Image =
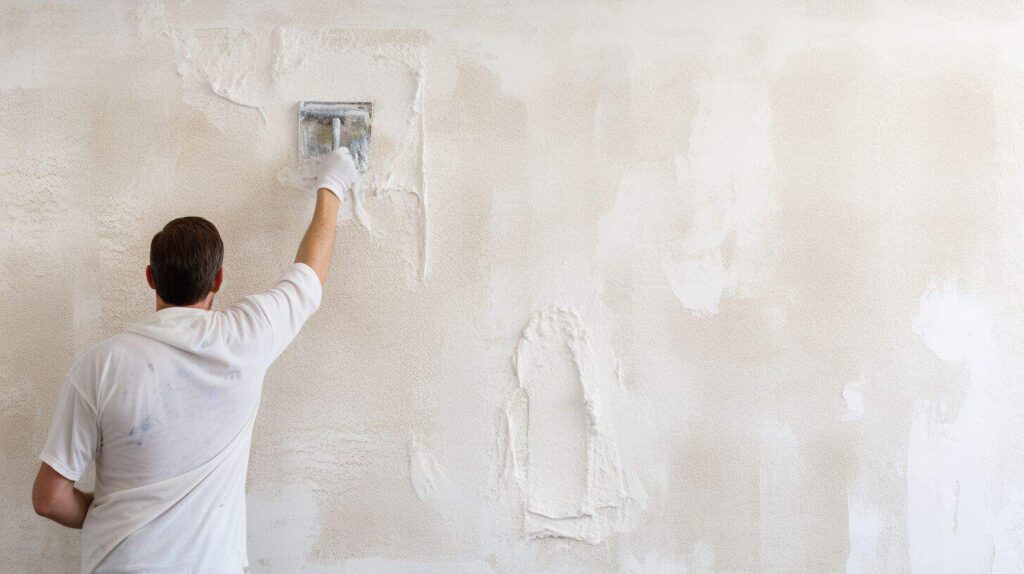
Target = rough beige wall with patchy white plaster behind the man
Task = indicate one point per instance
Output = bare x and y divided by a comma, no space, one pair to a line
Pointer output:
639,287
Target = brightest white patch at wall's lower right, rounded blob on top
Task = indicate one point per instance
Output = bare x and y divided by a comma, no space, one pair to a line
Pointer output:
952,523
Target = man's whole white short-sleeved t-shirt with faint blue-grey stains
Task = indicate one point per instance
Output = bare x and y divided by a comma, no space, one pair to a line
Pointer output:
166,409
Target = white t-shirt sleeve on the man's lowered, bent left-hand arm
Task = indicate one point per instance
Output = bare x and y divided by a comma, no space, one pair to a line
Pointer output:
74,435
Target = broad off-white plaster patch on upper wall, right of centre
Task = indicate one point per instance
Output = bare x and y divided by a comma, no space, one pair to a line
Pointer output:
698,220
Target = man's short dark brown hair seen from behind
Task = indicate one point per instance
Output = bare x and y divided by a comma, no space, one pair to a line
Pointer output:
186,257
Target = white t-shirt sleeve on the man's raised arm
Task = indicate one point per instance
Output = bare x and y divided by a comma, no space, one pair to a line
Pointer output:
275,318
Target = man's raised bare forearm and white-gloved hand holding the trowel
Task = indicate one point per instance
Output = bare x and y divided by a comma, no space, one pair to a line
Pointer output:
337,175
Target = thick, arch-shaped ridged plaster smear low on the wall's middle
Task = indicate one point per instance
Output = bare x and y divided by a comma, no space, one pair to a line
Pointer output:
562,455
